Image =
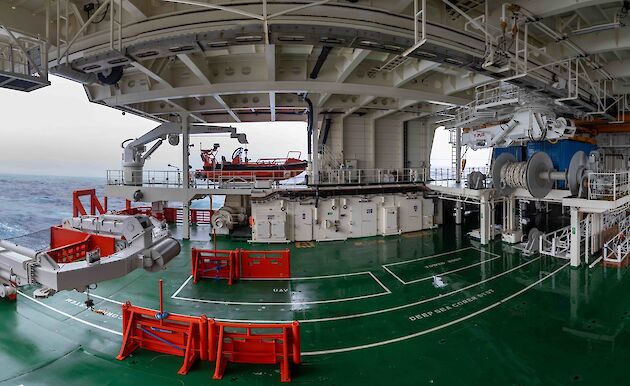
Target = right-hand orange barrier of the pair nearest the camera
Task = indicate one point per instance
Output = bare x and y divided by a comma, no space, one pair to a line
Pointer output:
255,343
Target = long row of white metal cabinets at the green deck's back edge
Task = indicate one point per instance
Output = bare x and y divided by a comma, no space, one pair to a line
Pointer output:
341,217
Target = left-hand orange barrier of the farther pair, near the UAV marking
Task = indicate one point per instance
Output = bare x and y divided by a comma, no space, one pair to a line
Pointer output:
214,264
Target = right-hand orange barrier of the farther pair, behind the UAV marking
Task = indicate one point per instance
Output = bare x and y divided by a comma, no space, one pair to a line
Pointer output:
265,264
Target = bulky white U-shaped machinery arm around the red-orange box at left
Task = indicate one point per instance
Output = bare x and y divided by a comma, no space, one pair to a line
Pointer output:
141,242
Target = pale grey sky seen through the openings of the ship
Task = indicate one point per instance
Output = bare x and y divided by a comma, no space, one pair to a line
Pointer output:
56,131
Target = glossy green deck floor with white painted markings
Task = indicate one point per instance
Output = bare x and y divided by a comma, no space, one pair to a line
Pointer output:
369,313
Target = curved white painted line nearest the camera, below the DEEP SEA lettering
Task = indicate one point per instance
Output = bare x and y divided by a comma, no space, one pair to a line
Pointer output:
436,328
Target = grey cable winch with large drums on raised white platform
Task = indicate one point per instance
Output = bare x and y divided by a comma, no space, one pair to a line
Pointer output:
537,175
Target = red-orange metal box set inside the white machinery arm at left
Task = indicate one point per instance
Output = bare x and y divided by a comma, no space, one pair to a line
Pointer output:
68,245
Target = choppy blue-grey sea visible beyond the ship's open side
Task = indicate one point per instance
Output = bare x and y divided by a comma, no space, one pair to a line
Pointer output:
30,204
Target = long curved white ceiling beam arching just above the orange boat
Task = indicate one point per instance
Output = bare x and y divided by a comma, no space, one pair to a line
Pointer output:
292,87
